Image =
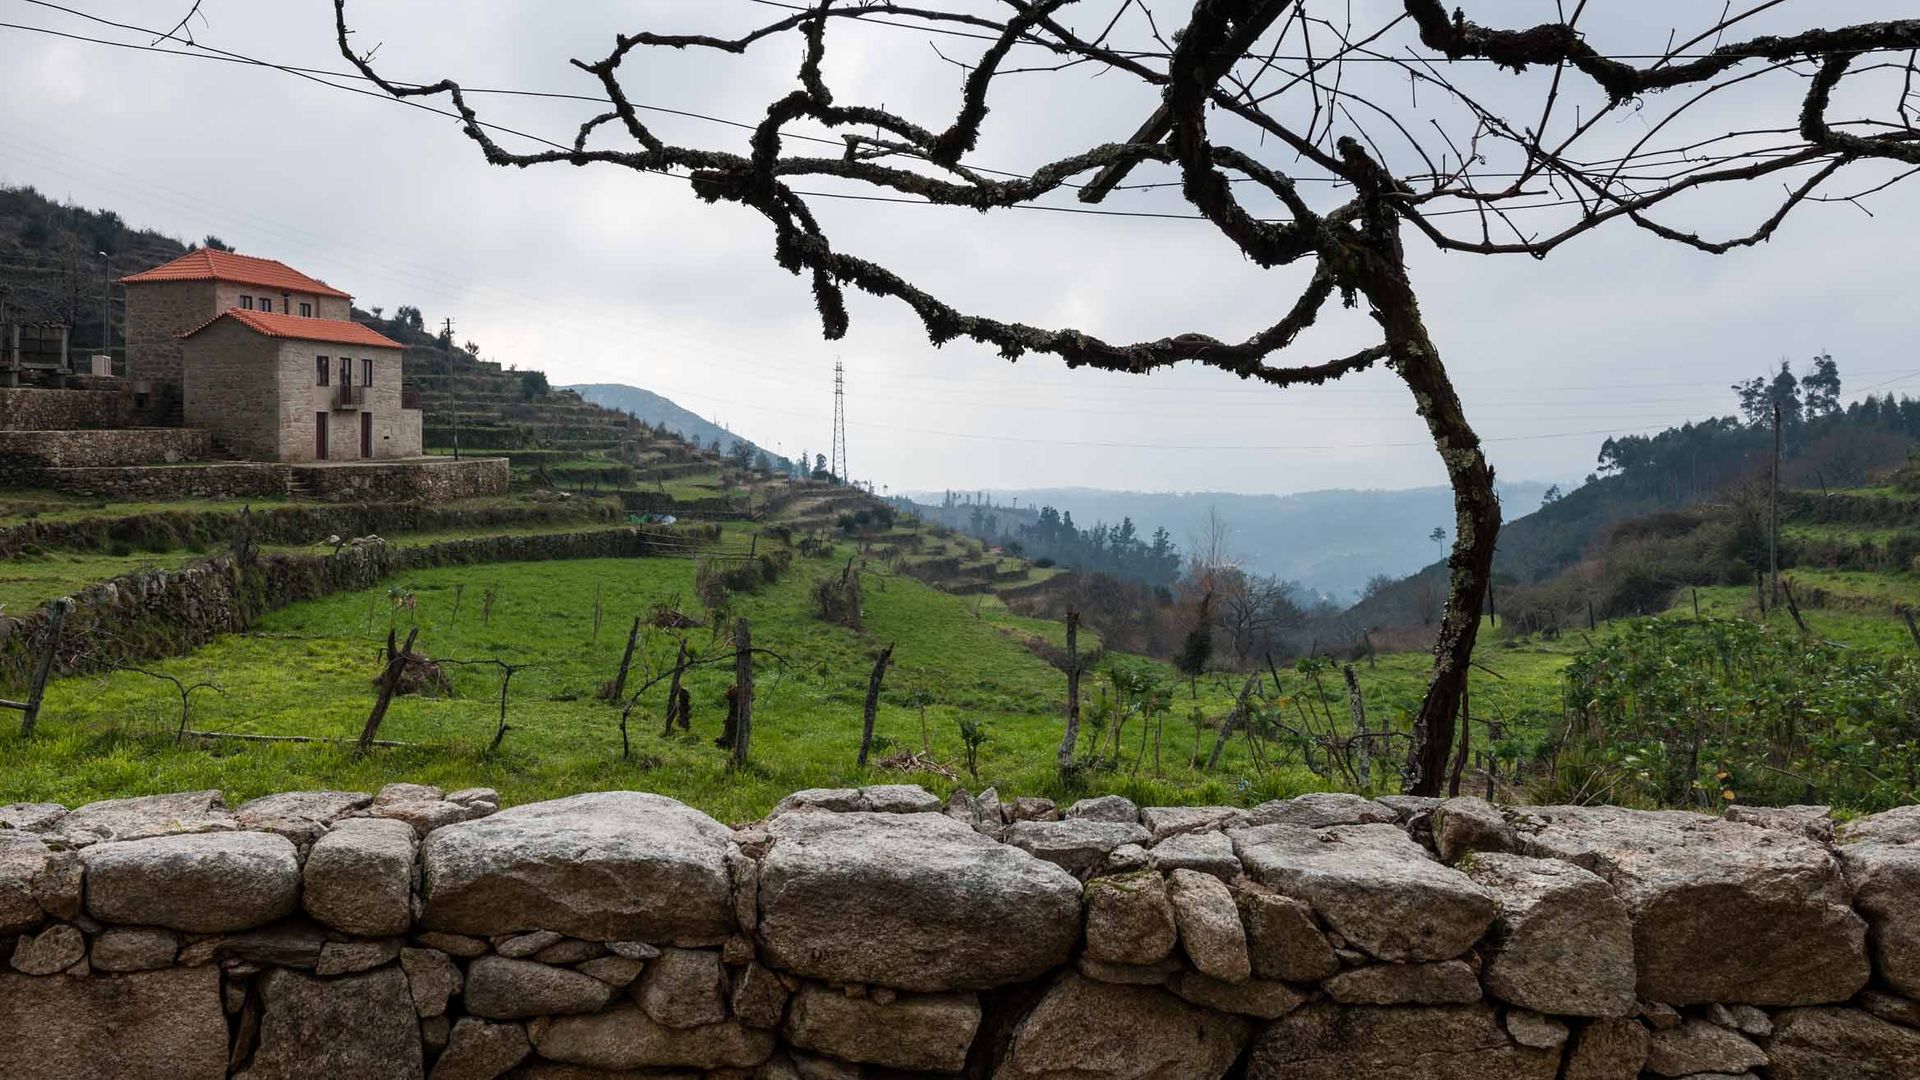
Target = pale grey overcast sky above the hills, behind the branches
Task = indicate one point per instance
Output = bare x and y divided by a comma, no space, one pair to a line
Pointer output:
606,276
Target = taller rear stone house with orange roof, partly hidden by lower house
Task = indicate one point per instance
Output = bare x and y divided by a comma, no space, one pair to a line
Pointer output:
168,303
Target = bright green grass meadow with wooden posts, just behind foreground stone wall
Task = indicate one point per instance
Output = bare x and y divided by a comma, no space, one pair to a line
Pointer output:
310,672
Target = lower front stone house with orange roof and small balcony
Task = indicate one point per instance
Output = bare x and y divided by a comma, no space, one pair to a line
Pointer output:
277,387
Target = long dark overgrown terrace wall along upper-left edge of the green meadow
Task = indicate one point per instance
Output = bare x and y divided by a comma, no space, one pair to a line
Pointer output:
160,614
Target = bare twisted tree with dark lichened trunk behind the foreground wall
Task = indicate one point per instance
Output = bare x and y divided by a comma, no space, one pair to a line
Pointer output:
1285,130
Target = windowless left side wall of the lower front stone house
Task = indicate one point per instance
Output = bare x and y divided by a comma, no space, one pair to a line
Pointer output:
229,387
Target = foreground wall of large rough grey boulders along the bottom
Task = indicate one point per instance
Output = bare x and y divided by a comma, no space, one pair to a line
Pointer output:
878,933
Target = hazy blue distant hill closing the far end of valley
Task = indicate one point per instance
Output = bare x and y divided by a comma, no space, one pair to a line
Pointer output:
1330,541
